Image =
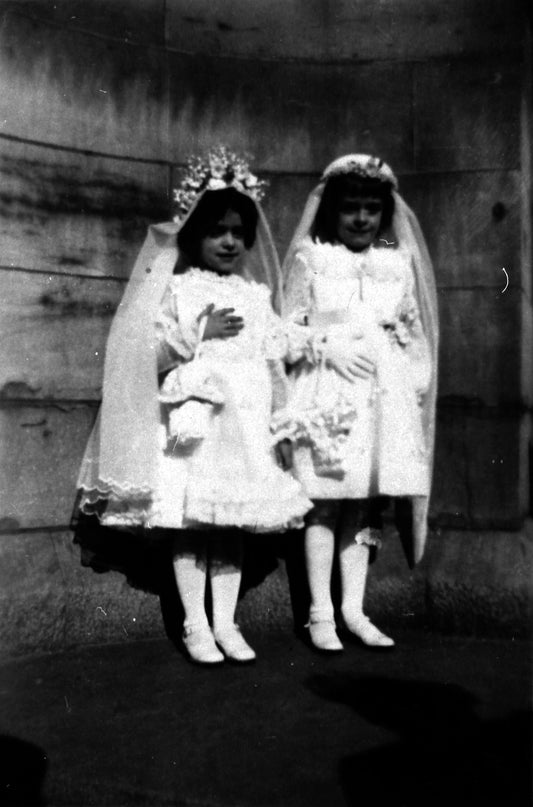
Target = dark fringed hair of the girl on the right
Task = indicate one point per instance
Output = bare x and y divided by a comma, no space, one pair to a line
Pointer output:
325,223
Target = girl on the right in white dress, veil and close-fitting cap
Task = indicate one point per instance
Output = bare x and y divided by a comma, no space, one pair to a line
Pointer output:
361,417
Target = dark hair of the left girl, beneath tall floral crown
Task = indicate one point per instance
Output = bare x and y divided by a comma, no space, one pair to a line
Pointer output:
212,207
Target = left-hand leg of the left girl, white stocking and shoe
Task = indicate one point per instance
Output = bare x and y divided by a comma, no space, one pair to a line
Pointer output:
190,570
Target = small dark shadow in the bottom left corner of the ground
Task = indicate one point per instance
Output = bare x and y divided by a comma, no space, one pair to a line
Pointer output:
22,771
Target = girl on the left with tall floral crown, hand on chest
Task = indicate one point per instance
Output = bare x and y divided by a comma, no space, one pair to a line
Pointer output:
193,369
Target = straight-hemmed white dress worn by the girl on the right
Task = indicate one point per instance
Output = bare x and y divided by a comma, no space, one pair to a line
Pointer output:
361,439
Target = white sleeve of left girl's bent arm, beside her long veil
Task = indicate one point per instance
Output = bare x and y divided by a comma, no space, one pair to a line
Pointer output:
177,328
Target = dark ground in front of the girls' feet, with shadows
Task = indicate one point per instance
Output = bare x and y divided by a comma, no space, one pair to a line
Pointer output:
438,721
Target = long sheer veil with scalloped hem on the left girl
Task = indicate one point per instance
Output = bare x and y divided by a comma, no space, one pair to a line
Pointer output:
121,457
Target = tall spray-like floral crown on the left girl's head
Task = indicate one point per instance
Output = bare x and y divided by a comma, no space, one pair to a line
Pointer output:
219,169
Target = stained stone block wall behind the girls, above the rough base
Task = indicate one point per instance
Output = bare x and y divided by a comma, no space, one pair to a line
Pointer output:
100,103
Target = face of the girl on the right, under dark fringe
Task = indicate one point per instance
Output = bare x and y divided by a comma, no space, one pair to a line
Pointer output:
358,220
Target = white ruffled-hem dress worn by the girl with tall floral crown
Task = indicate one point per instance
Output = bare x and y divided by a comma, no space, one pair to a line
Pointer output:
229,477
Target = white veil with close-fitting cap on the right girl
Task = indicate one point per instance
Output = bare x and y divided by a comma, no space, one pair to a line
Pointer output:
405,231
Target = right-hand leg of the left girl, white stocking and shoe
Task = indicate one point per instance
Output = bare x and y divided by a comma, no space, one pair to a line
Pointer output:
225,573
